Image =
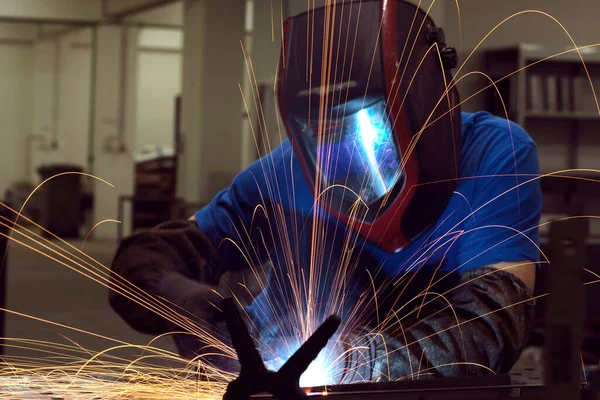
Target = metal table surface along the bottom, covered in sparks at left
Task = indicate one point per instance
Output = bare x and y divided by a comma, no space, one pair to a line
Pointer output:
522,384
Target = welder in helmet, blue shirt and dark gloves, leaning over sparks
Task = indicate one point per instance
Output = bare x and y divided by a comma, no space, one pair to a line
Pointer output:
414,221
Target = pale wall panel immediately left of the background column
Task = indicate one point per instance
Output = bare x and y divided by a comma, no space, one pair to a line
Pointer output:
62,101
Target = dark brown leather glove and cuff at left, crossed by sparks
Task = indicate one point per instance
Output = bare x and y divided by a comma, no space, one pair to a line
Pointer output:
174,261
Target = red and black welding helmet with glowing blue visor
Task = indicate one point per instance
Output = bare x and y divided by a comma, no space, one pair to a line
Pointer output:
362,92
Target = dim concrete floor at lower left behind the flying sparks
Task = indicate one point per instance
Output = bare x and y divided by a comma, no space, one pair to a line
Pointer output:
43,288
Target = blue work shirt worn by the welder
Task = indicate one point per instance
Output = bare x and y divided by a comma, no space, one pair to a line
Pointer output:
268,214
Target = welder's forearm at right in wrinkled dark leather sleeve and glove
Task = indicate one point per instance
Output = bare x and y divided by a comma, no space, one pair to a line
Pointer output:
484,330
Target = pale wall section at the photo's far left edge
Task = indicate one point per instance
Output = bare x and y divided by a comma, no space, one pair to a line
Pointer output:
16,68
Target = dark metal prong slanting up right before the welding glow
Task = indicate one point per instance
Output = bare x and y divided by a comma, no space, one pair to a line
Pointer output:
299,362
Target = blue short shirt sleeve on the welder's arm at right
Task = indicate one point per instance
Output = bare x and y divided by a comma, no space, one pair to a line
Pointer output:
506,204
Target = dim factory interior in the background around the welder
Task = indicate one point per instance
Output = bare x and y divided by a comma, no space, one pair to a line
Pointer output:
154,105
